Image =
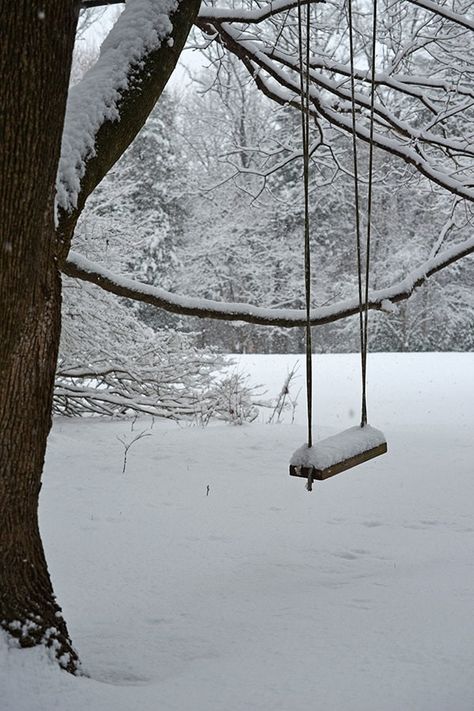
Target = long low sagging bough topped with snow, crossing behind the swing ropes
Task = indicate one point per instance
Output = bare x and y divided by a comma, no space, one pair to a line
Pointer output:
79,267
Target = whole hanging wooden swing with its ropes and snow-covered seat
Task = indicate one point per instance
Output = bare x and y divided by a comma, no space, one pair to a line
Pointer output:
355,445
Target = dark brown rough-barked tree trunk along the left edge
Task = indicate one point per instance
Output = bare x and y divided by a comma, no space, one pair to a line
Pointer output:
36,44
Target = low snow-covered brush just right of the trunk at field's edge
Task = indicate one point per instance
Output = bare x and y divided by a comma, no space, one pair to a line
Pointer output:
184,388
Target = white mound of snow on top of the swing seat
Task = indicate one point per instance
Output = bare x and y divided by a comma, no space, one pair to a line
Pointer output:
343,445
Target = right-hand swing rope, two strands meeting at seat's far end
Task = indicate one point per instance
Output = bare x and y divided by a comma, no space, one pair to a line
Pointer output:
363,293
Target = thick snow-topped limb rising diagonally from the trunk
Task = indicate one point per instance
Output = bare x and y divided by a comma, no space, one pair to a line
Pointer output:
112,102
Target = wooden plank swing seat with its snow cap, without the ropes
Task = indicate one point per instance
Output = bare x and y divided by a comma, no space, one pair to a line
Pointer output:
335,454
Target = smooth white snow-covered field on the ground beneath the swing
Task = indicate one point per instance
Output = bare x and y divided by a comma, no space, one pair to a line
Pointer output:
261,596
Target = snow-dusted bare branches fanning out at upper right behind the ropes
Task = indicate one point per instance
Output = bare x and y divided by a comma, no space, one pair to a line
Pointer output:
424,96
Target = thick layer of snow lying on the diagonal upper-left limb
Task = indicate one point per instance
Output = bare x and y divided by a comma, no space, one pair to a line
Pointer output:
141,28
